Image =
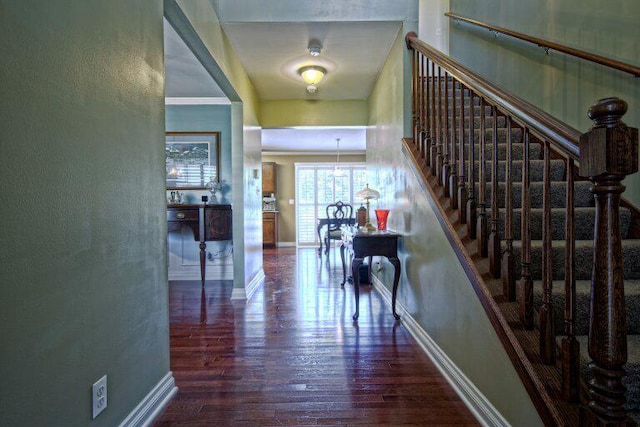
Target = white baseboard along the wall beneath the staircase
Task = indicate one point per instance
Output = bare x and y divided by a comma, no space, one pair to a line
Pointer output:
477,403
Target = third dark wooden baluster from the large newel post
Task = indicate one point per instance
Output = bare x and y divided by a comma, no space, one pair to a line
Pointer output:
525,288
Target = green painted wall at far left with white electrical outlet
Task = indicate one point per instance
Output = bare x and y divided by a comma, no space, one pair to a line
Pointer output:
83,254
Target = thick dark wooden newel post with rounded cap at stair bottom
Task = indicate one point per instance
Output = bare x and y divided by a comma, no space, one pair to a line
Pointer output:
608,152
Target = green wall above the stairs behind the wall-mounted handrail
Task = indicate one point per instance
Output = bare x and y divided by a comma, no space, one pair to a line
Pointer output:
562,85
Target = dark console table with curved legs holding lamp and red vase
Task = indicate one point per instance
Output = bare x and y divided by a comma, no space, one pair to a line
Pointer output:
361,244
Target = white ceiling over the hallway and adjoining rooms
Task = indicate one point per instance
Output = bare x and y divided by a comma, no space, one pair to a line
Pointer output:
353,52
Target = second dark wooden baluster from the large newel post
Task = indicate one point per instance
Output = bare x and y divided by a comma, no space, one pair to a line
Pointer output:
547,327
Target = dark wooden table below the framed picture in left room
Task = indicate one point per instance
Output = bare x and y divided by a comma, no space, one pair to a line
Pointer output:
207,223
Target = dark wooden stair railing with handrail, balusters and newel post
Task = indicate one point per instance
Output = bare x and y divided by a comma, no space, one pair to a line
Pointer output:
476,168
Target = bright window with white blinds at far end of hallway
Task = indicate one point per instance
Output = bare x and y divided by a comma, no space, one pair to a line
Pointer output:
318,186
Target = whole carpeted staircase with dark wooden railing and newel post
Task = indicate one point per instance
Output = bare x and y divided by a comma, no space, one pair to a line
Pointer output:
536,205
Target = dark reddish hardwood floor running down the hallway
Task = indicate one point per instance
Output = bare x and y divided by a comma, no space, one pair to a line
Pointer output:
291,355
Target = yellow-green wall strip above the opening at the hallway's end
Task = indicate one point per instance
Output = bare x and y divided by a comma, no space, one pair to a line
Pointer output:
313,113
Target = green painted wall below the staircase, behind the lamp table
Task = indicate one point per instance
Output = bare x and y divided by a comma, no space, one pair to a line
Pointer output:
434,288
